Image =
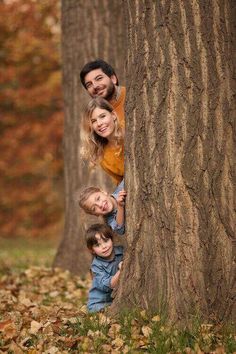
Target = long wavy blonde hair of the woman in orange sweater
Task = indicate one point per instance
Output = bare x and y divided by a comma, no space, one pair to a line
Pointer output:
92,145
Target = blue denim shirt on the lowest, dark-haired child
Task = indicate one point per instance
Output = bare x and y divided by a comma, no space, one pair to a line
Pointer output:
103,270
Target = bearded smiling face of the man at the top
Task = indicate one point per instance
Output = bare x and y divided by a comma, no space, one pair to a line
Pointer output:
98,83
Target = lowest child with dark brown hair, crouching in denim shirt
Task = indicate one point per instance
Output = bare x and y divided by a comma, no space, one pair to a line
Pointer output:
105,267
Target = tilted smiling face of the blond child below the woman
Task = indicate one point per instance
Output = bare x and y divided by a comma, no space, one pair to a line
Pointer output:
100,203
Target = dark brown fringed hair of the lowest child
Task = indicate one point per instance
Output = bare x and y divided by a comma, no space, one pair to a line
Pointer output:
103,230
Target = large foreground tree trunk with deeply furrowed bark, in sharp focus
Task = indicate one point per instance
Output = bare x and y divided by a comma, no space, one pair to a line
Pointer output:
180,158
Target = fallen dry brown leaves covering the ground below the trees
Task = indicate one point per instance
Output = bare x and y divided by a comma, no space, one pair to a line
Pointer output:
42,310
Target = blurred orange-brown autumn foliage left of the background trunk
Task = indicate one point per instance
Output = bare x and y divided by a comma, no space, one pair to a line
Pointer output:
31,118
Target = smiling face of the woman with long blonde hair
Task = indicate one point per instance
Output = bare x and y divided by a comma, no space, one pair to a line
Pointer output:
103,122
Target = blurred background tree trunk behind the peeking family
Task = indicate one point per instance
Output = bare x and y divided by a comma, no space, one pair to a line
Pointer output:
88,32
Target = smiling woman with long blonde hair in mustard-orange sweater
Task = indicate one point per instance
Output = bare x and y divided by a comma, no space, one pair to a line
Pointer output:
103,139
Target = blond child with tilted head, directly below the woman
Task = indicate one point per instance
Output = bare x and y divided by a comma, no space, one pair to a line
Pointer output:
95,201
